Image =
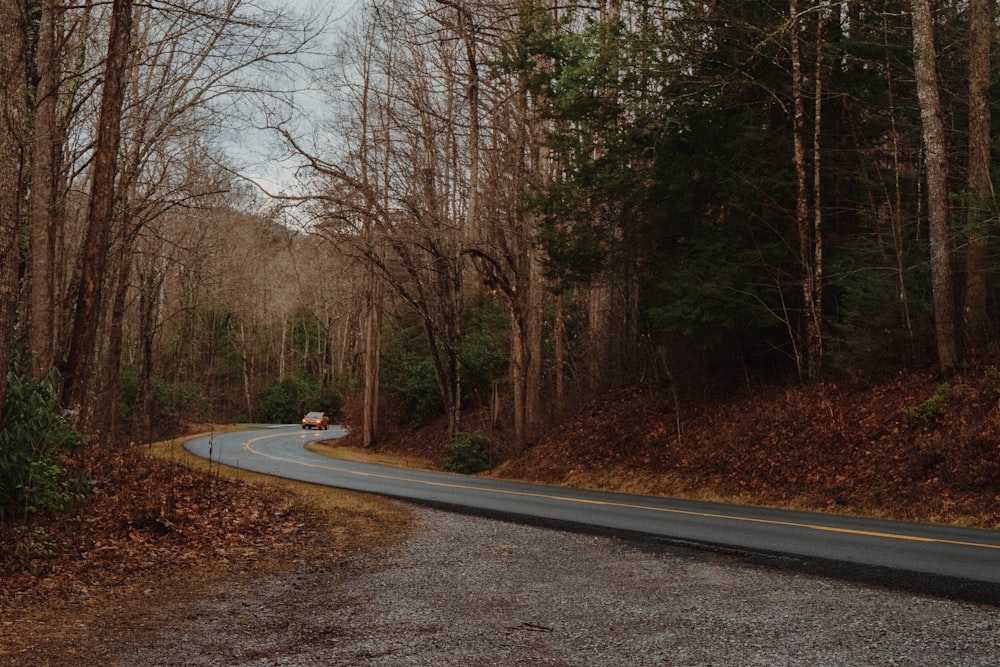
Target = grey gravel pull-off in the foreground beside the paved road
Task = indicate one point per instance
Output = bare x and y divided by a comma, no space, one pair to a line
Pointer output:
462,590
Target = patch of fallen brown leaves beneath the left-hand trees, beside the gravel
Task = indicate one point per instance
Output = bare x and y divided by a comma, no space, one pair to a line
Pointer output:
145,514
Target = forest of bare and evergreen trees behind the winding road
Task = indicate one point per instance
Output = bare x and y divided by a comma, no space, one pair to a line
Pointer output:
237,211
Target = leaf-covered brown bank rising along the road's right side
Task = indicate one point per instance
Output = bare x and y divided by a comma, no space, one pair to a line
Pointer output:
911,448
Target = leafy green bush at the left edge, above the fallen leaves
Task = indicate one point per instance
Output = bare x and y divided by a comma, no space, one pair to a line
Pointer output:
34,437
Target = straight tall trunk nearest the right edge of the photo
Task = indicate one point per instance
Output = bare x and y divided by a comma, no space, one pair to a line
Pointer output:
977,321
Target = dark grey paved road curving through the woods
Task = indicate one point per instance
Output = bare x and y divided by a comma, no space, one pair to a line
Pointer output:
943,560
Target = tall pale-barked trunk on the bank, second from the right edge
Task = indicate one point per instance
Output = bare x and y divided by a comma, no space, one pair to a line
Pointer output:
932,120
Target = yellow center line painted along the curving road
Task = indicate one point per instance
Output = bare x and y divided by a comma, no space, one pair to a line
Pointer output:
586,501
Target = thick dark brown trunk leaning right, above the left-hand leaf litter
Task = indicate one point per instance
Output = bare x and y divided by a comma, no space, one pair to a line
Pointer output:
77,369
